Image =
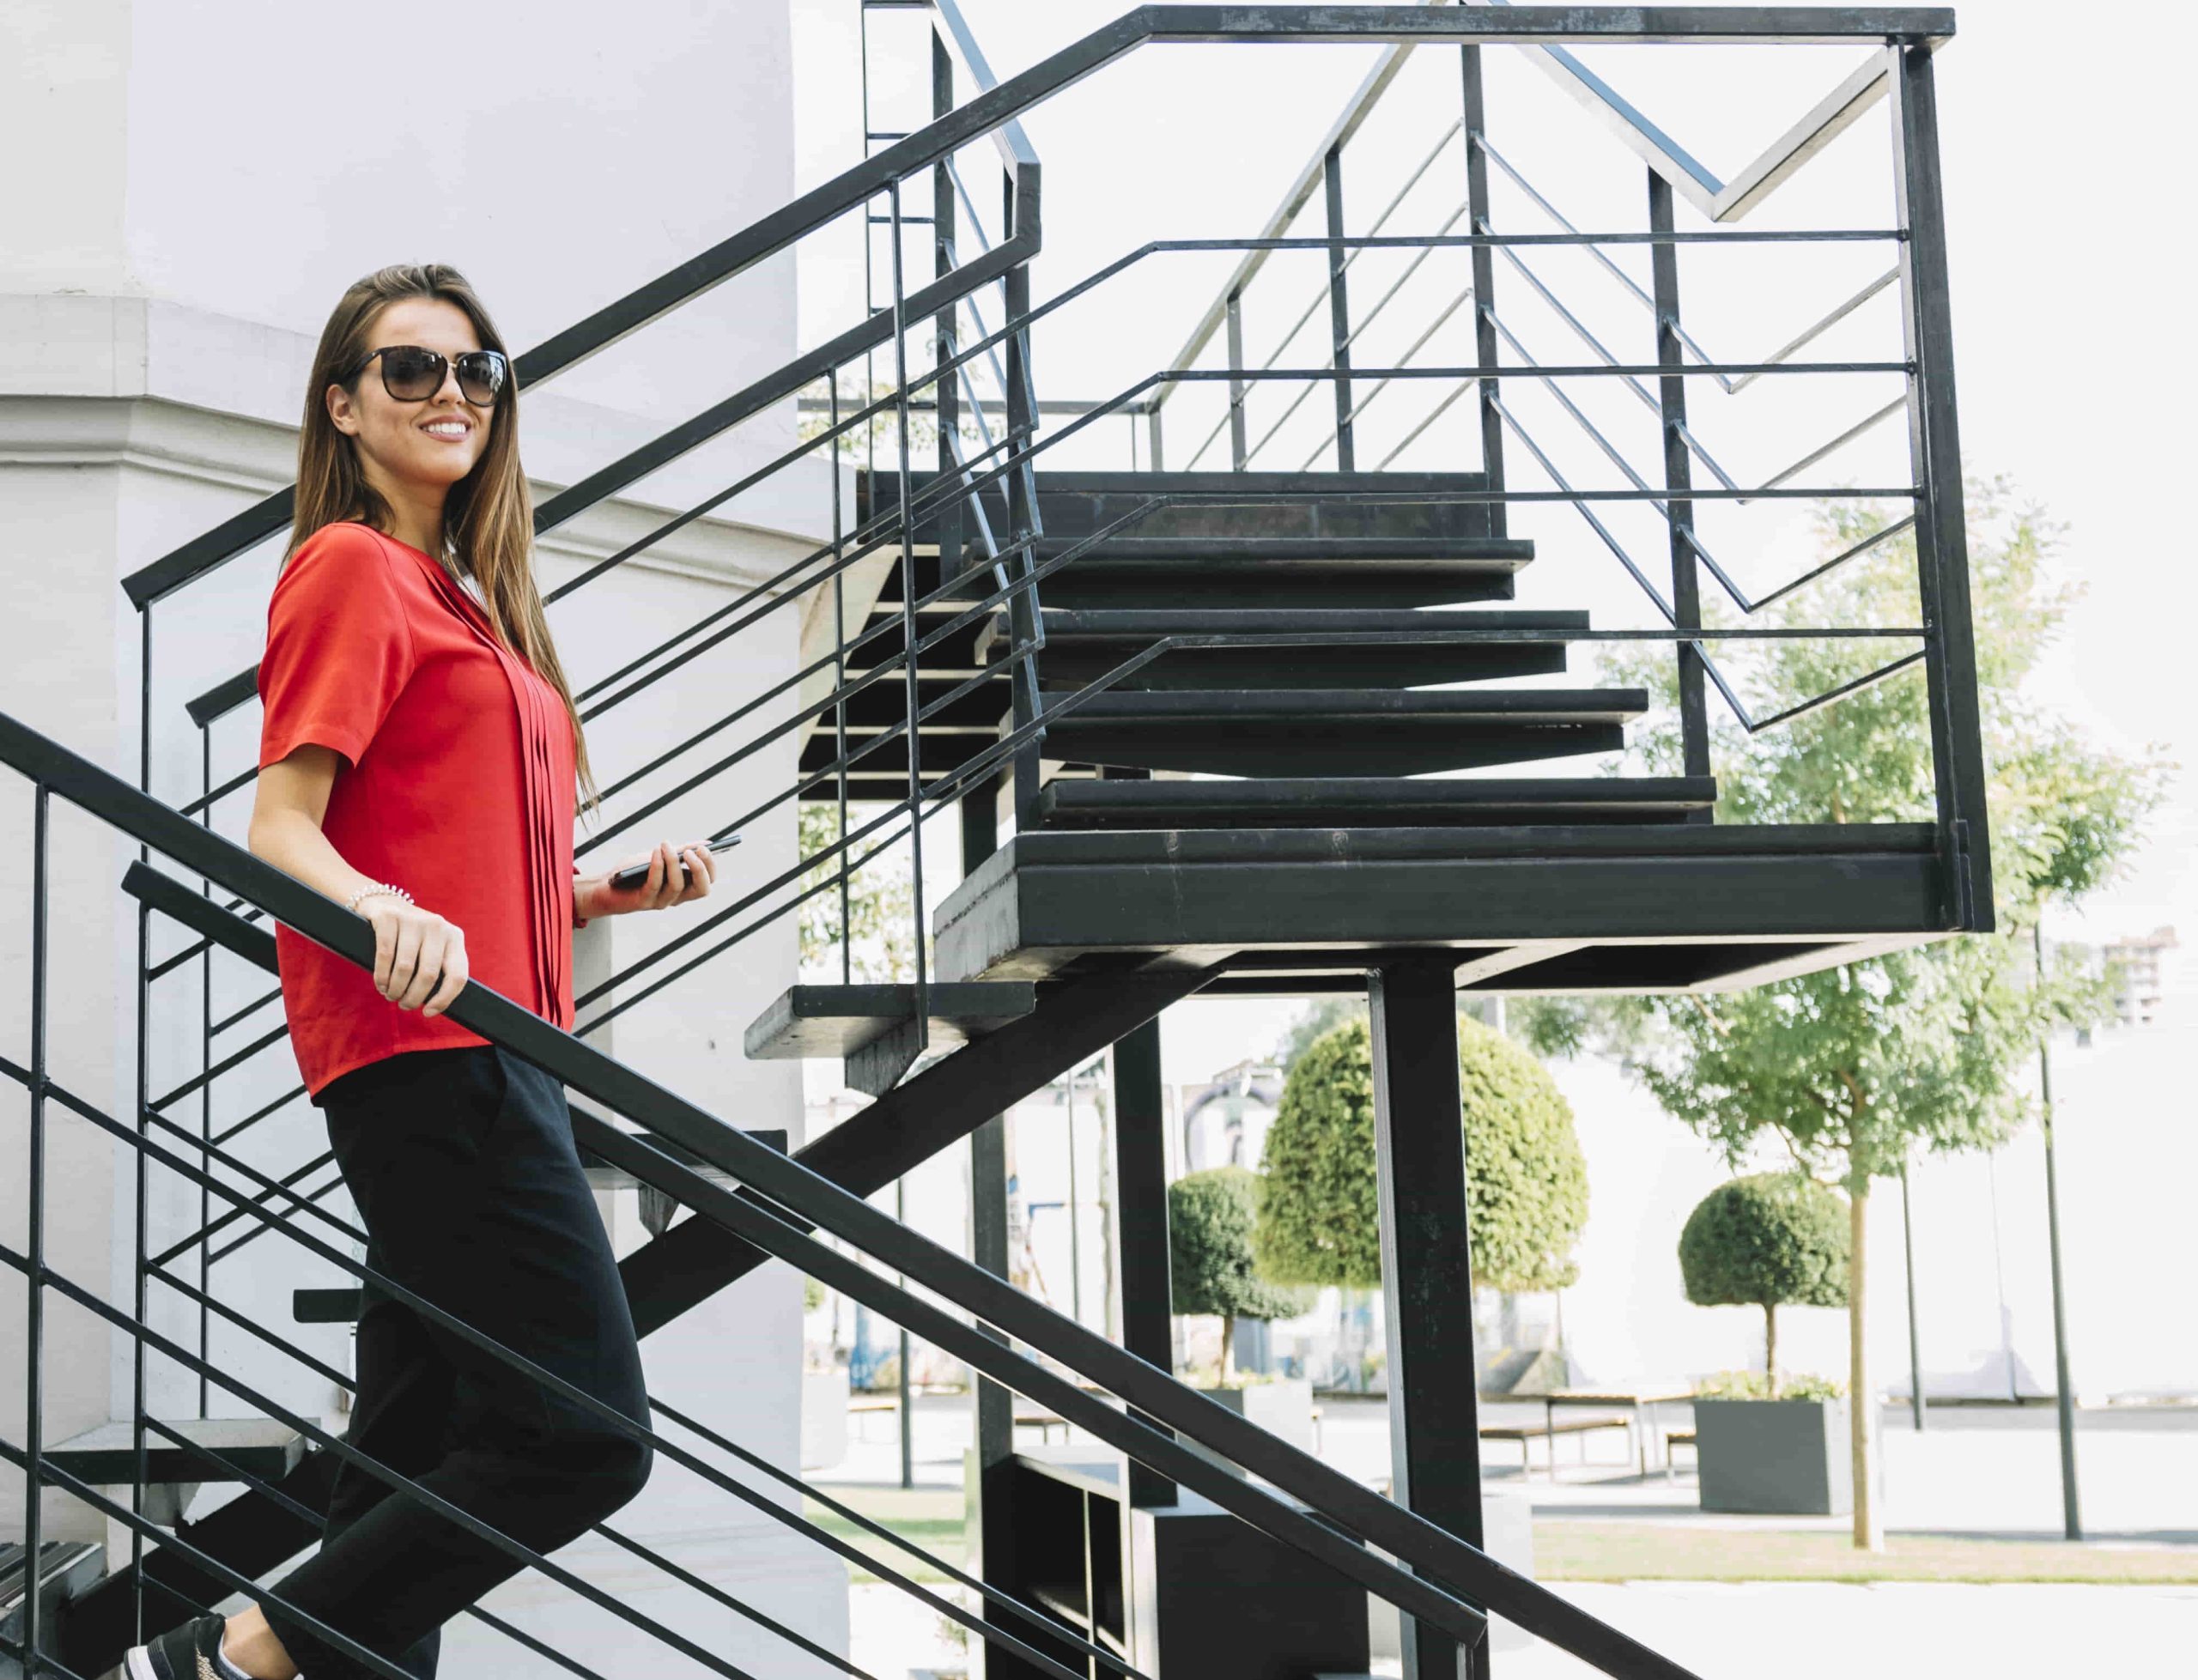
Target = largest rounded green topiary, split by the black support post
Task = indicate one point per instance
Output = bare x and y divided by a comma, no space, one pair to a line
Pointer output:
1527,1182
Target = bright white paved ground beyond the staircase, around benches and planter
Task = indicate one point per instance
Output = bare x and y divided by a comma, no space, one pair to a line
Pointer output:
1973,1472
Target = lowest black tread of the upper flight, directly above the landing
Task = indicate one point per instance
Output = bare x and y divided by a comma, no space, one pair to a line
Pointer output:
1370,802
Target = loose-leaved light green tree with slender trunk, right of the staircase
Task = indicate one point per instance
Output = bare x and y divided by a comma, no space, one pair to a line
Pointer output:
1854,1070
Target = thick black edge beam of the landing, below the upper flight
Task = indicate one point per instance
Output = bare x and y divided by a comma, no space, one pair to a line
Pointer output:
1058,898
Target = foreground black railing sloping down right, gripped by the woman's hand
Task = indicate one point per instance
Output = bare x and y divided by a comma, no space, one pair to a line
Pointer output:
1333,1518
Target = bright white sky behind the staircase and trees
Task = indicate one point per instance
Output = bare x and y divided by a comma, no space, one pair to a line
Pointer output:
2069,263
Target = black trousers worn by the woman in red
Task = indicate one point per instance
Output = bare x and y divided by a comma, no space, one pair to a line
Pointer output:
471,1191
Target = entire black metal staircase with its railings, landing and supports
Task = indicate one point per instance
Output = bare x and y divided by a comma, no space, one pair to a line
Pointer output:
1245,731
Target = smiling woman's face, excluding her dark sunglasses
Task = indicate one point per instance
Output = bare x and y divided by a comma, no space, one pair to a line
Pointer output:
417,447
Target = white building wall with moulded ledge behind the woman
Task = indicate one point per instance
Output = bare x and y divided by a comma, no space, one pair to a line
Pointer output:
210,179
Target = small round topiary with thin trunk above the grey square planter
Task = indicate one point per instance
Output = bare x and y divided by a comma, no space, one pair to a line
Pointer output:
1775,1239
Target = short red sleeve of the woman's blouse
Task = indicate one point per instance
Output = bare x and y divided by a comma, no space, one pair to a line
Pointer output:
340,648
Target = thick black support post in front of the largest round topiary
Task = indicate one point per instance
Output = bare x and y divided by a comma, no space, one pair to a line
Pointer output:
1428,1268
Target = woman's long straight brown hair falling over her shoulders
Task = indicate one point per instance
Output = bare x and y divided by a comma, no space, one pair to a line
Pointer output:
487,518
